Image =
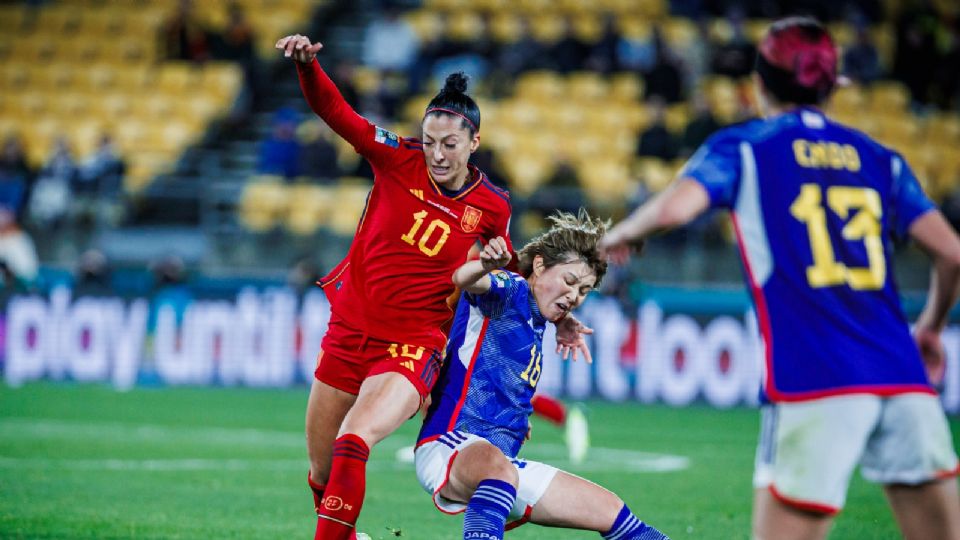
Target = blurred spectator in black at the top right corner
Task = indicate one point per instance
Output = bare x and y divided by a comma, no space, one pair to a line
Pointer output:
915,57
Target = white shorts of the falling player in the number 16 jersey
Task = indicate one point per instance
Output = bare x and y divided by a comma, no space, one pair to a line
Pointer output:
434,459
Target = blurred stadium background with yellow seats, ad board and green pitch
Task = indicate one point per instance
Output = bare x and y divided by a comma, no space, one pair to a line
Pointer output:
158,322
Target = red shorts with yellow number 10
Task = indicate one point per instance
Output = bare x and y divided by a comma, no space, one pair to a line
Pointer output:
348,356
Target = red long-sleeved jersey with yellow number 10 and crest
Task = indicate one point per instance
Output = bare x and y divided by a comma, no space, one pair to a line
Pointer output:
397,276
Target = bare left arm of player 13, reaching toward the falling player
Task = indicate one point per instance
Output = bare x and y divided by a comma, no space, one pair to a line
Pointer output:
677,205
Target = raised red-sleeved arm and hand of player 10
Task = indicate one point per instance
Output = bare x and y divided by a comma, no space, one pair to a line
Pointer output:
321,94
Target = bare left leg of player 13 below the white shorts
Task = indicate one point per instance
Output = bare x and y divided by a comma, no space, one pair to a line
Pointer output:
774,520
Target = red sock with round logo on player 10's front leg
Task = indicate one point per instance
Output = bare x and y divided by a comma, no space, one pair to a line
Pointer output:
343,494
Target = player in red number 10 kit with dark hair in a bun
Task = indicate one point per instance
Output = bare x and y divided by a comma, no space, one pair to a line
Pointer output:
383,348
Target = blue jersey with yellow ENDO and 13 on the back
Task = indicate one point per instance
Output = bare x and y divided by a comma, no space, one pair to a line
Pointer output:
815,205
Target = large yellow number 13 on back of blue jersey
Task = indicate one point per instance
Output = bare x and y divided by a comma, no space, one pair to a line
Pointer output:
864,225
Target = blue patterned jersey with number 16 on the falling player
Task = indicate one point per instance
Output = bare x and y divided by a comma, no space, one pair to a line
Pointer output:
493,362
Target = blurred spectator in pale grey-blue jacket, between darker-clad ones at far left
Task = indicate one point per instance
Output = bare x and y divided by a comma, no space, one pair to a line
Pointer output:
52,193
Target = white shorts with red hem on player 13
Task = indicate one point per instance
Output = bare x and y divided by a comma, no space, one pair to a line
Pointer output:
808,450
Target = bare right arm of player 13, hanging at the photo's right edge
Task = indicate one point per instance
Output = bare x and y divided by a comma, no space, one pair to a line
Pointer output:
932,232
